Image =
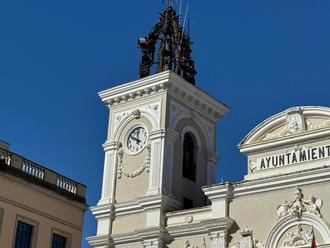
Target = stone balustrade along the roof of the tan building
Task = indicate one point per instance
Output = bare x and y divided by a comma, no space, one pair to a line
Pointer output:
31,171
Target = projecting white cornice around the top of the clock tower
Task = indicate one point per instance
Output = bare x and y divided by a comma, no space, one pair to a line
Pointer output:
169,82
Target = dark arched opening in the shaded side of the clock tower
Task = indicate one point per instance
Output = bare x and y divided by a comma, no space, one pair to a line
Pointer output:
189,157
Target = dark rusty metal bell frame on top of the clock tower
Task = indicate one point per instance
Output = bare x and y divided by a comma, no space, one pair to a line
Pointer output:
168,47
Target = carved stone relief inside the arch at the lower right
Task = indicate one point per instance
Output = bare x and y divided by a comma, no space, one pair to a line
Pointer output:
298,238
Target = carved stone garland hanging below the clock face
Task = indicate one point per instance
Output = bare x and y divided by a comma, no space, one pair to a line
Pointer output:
144,167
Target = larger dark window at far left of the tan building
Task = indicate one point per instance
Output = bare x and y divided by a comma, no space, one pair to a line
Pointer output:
23,237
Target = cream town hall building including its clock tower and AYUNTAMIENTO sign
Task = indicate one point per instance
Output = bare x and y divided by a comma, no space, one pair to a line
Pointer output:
160,158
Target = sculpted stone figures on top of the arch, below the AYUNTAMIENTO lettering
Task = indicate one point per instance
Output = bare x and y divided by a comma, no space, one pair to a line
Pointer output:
298,206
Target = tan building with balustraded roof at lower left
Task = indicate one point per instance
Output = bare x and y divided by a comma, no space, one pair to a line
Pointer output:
38,207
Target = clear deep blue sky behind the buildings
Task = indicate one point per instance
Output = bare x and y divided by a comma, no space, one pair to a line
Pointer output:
258,57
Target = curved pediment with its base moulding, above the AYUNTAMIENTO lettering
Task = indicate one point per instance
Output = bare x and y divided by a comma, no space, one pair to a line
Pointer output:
291,126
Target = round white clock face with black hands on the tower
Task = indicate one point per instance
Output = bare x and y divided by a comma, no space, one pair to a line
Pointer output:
137,139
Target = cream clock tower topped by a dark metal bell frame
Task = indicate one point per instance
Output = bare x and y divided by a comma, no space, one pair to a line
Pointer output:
160,147
